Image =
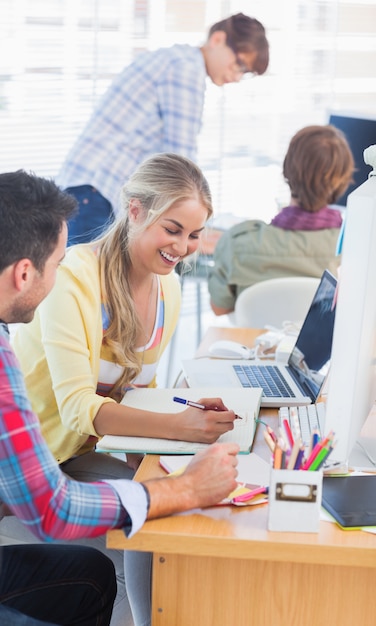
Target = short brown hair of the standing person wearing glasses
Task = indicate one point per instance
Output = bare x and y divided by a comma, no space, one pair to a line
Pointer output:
245,34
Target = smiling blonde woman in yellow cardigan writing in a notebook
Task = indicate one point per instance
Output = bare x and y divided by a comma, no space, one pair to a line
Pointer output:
106,323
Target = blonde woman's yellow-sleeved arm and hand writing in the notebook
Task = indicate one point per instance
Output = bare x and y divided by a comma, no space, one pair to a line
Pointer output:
70,318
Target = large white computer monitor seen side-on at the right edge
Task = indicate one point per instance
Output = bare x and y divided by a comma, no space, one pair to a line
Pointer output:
352,378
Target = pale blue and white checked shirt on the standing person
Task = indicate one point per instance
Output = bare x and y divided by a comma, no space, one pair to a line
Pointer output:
154,105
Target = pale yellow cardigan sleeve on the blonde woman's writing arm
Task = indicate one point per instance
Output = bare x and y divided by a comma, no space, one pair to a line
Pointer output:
71,336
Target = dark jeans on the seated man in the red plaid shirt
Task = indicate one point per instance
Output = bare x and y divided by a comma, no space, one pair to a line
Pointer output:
55,584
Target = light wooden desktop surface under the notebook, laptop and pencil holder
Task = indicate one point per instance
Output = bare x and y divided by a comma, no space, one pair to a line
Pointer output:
241,533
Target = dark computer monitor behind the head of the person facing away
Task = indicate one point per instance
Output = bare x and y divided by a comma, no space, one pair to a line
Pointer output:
360,133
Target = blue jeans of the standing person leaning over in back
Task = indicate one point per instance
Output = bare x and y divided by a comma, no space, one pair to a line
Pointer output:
94,215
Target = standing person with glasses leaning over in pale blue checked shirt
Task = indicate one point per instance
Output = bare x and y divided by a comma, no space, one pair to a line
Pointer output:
154,105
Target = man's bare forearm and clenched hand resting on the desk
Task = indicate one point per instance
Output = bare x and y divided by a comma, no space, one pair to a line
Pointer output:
209,477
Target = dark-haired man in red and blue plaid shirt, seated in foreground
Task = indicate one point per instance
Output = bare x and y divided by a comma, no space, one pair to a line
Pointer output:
64,584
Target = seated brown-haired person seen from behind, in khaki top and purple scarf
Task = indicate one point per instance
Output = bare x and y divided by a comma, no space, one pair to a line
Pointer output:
301,240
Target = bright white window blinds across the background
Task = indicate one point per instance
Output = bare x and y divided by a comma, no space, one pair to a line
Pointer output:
58,56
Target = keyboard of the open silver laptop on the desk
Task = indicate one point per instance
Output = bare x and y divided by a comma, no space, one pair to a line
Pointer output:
268,377
